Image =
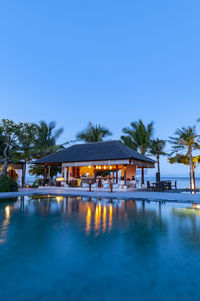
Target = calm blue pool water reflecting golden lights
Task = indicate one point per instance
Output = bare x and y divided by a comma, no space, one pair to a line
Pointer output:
64,248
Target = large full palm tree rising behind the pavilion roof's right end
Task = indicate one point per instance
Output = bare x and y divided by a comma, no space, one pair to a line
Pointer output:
138,137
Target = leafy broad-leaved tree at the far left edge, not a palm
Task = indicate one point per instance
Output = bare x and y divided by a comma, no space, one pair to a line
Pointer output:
10,135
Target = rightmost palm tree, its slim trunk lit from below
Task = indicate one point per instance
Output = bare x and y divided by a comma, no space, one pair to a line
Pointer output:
185,142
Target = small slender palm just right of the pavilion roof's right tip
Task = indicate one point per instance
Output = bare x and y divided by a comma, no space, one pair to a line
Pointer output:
157,147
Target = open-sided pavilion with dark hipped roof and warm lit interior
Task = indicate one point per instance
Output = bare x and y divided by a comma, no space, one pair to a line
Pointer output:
86,161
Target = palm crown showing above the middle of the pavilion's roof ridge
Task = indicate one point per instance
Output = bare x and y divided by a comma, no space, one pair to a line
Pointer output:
93,133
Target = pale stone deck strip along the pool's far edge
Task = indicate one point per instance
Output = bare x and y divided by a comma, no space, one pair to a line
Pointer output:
123,195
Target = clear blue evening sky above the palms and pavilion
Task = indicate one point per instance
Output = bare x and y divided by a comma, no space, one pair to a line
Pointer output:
109,62
